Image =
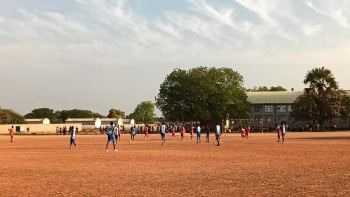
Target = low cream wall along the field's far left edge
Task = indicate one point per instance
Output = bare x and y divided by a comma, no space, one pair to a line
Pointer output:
37,128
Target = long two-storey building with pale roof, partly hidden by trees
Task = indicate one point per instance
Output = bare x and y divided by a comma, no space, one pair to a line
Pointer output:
273,107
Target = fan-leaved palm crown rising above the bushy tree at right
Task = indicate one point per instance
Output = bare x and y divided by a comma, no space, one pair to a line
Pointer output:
320,80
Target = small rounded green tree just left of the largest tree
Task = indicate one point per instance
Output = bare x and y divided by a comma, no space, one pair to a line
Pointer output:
144,113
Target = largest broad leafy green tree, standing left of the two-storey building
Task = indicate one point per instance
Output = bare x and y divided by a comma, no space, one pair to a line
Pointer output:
202,93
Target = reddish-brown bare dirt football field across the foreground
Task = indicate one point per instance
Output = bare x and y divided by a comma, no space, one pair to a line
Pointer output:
308,164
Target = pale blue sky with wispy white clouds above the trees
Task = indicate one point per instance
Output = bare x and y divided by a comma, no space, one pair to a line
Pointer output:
103,54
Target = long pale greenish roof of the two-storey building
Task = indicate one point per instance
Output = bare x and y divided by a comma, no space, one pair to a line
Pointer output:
273,97
